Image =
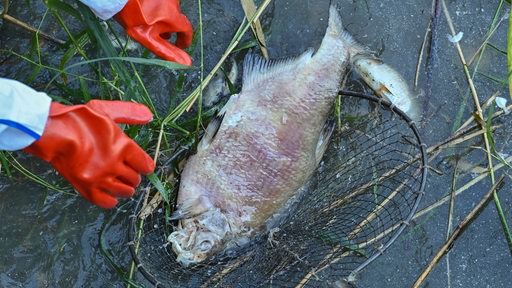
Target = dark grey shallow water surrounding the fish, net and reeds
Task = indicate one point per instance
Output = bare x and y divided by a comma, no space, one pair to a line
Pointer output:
51,239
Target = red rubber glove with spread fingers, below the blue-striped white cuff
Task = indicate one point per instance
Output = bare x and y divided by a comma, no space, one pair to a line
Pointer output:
87,147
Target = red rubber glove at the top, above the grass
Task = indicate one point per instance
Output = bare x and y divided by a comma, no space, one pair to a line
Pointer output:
151,22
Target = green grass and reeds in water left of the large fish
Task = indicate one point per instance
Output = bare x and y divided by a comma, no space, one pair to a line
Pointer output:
95,62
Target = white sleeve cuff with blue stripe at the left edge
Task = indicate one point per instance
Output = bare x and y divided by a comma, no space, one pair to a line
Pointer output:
23,114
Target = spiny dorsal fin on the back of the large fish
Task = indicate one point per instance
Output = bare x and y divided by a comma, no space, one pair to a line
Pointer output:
257,69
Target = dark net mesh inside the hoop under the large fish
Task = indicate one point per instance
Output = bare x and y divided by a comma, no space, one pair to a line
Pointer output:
359,200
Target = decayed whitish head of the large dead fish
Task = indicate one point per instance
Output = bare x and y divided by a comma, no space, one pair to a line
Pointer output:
199,238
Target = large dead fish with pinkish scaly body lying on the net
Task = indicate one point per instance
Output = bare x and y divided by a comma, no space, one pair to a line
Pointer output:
262,147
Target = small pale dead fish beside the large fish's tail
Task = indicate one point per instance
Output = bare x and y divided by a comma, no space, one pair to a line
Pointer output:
386,82
